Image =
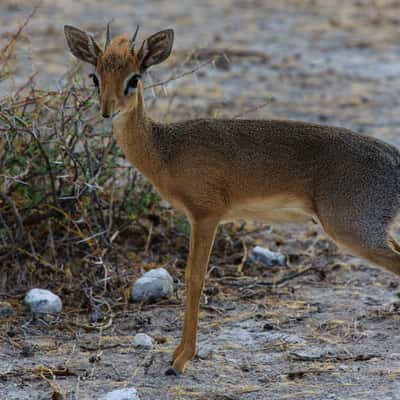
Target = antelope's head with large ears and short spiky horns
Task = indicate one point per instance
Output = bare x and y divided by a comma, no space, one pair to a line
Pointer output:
120,66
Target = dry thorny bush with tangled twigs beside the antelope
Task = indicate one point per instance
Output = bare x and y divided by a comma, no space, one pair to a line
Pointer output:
67,197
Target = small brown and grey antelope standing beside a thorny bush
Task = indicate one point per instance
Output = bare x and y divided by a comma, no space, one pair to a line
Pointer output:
216,170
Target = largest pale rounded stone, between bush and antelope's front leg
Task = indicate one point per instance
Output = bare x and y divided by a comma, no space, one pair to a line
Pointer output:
153,285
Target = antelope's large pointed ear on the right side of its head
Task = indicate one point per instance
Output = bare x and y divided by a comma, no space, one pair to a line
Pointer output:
155,49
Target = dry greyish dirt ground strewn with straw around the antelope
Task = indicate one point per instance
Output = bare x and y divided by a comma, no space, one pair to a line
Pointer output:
331,333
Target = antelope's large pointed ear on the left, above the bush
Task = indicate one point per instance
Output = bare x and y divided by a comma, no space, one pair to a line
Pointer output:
82,44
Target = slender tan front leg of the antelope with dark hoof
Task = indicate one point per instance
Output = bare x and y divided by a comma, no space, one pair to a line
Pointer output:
201,241
